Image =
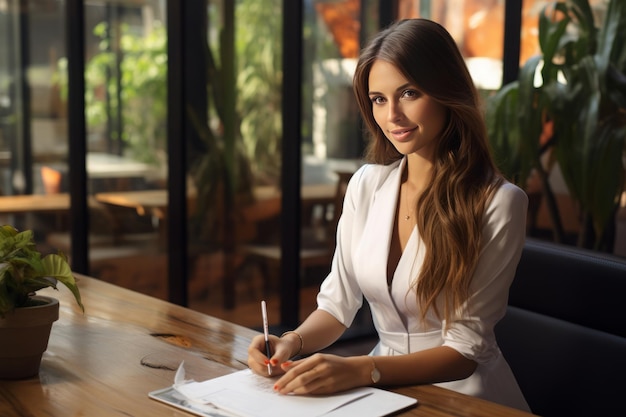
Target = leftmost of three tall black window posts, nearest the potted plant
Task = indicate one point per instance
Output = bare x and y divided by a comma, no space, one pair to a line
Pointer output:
79,215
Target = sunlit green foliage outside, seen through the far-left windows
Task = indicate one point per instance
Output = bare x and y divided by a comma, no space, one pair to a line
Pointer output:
125,80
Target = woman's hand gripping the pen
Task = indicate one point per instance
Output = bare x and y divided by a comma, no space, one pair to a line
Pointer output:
280,348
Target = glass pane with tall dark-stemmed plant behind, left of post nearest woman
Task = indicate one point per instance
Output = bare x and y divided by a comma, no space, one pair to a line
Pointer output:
235,172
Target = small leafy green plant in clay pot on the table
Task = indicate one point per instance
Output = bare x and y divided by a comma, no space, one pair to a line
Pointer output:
26,318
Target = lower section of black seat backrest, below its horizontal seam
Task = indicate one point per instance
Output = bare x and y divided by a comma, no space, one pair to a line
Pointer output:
563,368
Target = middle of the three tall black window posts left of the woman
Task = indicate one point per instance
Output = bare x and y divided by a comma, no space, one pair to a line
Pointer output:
176,146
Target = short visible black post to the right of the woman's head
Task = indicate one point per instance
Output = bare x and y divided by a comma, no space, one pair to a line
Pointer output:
512,39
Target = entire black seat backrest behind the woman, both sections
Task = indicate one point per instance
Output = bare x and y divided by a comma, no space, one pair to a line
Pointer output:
564,334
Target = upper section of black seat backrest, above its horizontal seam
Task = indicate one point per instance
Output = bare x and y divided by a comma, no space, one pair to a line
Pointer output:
577,285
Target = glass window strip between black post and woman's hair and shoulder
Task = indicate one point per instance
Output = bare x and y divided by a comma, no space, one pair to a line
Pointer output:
332,142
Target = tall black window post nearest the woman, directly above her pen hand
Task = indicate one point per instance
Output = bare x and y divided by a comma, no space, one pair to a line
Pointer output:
291,162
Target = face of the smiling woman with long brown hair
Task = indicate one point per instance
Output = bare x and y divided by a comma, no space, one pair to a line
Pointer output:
411,120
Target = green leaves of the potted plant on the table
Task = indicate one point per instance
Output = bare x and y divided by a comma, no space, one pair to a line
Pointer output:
23,270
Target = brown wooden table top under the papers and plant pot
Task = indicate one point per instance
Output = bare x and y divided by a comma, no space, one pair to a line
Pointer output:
105,362
